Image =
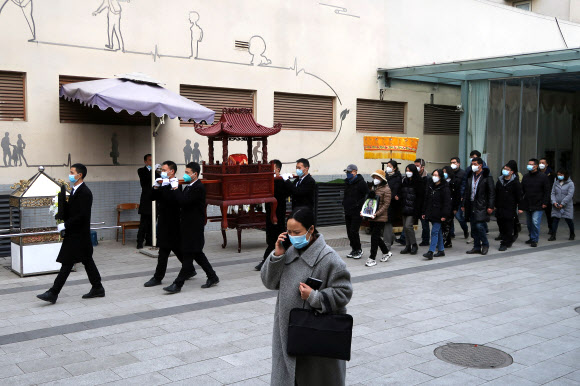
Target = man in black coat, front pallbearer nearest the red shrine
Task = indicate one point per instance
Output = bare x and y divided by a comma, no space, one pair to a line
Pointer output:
191,200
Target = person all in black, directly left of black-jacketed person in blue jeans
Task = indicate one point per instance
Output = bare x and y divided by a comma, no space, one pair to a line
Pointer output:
508,192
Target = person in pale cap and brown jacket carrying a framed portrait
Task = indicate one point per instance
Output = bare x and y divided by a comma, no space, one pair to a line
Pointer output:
382,192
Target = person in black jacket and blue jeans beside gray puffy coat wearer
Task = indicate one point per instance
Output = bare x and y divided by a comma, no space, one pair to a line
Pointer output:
536,191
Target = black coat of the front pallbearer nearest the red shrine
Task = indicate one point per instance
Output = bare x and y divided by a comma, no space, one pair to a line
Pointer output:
191,201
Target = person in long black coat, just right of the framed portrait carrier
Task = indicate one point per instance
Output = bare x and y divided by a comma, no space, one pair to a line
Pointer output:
411,195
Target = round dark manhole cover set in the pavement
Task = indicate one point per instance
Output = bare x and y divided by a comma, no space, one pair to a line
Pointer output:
473,355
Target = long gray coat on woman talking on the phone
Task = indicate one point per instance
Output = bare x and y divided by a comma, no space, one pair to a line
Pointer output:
284,273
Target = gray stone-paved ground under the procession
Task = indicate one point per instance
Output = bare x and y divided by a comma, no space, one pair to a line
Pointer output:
521,301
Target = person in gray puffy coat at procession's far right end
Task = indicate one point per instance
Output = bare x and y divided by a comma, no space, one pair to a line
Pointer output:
562,203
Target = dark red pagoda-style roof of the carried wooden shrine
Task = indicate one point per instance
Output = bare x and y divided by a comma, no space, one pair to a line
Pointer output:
237,123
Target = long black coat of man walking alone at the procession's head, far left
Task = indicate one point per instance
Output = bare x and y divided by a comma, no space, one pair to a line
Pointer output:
77,245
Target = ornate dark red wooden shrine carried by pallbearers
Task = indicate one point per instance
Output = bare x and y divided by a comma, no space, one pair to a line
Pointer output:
233,182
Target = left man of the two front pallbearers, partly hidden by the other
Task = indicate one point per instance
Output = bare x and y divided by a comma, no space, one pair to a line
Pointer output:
168,235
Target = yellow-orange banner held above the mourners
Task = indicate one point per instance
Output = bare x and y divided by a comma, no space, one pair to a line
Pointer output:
404,148
